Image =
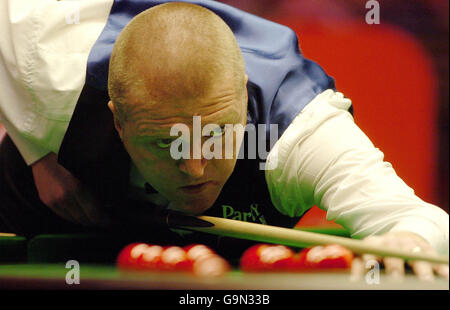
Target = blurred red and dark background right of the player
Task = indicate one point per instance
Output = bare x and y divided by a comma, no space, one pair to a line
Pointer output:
395,72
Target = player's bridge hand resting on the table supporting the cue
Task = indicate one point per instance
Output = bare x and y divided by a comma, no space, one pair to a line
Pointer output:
395,267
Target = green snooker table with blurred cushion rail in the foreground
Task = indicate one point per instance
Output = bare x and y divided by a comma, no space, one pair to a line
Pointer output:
40,263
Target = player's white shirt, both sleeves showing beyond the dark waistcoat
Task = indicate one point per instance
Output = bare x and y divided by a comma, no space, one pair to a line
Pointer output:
322,159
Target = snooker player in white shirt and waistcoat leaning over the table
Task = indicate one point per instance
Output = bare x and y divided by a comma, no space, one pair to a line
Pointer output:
170,64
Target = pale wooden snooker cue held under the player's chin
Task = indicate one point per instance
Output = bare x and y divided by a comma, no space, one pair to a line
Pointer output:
297,238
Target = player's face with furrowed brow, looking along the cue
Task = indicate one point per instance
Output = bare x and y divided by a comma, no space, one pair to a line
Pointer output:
191,185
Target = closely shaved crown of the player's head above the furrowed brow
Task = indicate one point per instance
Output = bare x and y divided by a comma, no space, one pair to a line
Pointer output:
172,53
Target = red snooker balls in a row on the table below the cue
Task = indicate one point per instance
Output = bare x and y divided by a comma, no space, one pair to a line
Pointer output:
200,260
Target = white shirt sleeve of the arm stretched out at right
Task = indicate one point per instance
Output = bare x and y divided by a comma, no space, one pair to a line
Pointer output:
324,159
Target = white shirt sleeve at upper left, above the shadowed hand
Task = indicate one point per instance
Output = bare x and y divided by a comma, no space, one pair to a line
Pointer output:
44,46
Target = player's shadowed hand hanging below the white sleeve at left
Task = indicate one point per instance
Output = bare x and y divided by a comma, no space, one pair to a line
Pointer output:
63,193
